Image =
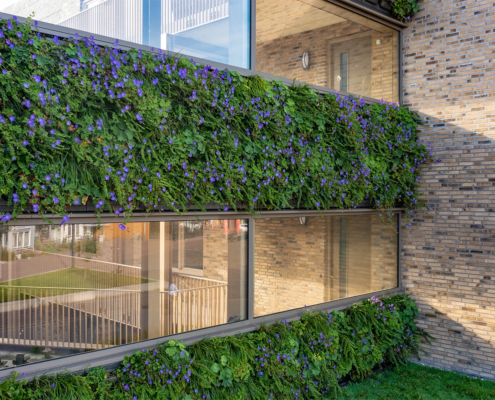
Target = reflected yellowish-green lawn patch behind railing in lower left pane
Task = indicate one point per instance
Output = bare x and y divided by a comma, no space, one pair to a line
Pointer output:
74,278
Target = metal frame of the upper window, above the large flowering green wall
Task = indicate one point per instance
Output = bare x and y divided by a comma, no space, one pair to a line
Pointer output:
64,32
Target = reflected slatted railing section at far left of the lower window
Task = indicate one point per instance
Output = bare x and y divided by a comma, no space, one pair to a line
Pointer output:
69,317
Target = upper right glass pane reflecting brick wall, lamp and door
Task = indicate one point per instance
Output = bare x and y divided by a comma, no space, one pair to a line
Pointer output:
345,51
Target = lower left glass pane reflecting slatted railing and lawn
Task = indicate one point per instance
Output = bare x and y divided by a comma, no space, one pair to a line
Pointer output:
77,288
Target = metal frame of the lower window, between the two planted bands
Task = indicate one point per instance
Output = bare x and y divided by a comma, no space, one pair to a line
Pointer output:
111,358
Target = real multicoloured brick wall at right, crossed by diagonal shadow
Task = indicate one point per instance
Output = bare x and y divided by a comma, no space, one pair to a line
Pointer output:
449,252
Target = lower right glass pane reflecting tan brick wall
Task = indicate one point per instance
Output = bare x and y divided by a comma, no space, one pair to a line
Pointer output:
301,262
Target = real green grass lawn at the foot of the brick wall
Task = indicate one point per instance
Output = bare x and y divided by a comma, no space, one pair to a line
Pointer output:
412,381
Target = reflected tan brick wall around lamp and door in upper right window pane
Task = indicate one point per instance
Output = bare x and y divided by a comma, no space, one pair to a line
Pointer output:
281,57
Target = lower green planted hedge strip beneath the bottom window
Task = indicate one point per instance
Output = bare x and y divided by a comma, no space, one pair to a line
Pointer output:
301,359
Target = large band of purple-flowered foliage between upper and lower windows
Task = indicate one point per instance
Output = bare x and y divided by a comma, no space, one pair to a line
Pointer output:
131,130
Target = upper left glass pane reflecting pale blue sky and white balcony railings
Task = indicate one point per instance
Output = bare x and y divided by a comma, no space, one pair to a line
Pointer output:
216,30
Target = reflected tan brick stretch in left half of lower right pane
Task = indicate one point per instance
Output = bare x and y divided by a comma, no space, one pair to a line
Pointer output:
289,261
